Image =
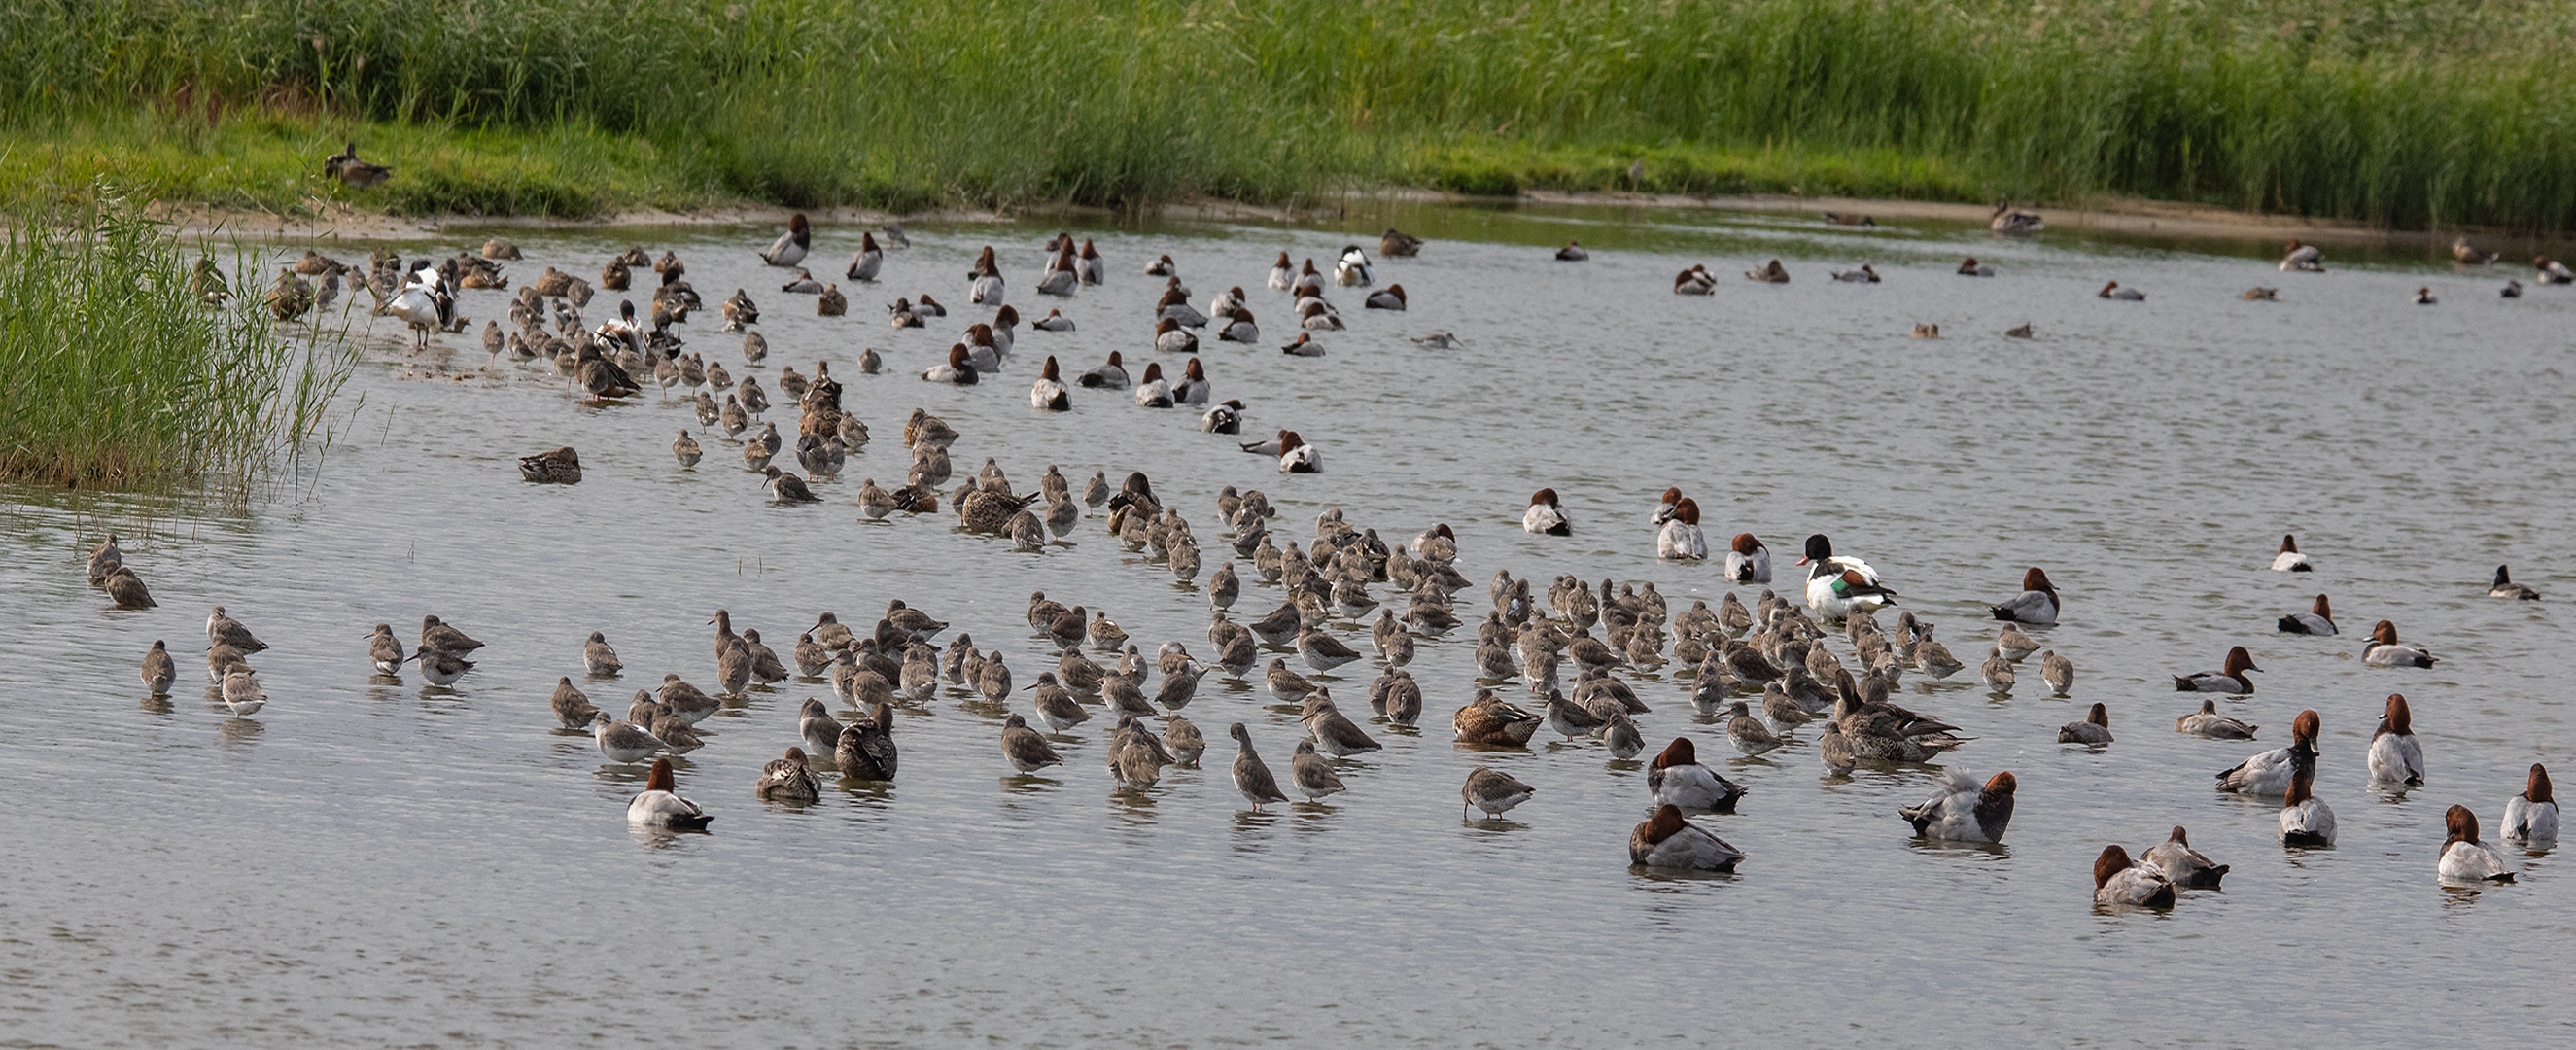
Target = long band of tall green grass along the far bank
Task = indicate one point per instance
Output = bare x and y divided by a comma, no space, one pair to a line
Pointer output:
2400,112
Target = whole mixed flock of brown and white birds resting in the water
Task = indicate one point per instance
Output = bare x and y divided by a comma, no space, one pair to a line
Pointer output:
1768,668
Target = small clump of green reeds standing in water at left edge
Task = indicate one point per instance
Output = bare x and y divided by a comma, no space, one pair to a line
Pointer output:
115,374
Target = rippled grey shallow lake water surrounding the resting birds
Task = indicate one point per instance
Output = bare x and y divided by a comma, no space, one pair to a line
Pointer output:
375,861
